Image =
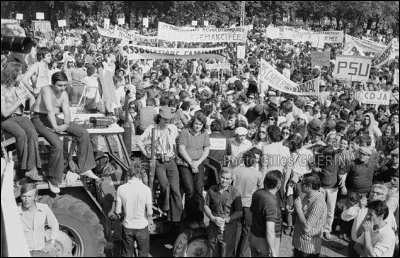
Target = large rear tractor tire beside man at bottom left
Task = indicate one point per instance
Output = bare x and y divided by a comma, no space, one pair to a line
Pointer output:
80,223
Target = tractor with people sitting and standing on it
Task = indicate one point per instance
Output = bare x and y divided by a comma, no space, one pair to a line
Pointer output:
84,208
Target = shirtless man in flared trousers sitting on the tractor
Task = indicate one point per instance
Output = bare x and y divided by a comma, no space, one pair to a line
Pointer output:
51,101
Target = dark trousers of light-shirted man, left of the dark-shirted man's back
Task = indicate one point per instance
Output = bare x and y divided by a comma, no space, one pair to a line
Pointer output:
243,234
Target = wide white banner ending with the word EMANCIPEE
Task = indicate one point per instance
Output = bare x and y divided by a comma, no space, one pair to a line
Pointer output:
173,33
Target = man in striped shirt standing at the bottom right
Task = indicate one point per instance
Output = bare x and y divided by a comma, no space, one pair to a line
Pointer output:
311,217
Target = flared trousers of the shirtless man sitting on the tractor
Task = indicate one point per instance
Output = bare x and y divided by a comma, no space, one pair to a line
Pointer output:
56,160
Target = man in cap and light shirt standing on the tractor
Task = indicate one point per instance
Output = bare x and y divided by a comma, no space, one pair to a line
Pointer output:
166,169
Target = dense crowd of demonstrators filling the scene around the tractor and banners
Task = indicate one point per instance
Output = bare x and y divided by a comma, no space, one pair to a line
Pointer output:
295,165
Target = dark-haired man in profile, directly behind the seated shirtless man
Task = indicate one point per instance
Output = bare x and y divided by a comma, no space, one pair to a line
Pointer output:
38,73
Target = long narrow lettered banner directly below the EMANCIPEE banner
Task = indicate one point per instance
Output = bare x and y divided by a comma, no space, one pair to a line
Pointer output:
175,51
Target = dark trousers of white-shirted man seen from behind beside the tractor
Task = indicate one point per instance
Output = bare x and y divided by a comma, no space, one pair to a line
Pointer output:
142,238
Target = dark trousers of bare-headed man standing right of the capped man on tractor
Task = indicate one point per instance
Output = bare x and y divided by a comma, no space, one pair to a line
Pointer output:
192,184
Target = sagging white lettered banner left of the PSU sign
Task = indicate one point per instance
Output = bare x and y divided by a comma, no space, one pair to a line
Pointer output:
269,76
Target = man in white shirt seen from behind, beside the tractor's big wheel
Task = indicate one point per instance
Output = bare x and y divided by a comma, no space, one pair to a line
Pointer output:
135,198
